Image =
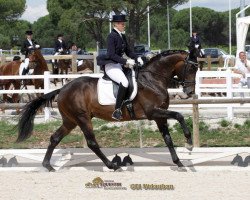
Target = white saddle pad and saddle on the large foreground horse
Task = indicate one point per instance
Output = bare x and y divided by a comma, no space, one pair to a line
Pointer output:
107,89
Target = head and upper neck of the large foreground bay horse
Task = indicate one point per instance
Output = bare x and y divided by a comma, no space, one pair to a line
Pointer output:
166,65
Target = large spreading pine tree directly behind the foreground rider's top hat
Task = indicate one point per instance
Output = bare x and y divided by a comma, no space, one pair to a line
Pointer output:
93,15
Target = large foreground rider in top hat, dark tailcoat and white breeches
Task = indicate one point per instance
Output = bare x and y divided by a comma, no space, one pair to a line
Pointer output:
114,62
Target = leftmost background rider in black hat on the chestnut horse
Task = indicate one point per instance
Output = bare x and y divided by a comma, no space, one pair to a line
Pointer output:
28,44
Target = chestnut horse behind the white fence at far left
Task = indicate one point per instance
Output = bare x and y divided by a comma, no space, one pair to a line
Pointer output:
36,62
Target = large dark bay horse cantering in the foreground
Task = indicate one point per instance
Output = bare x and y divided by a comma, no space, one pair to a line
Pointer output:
78,104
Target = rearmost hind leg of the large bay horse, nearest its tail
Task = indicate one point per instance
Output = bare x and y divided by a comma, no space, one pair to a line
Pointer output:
54,141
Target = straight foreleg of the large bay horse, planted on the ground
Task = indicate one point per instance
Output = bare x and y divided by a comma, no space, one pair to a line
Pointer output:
163,128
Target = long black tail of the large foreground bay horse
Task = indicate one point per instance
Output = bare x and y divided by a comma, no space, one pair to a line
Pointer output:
26,120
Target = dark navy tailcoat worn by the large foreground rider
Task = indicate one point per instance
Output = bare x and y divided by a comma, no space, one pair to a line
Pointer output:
116,47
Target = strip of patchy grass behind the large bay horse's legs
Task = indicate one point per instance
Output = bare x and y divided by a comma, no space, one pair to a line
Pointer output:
116,135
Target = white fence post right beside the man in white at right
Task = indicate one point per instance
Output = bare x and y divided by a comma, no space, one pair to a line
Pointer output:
229,82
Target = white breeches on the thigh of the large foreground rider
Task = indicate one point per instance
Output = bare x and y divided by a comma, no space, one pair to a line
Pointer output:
114,71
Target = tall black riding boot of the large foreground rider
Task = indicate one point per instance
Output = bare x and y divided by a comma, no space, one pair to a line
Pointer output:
117,114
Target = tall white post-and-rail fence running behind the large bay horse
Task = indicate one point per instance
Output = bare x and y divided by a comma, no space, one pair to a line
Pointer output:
230,88
